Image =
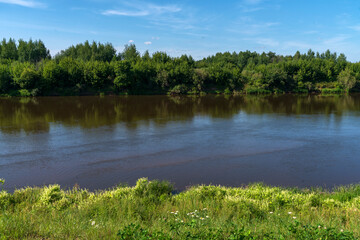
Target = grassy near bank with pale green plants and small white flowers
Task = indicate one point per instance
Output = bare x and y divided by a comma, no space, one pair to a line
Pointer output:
151,210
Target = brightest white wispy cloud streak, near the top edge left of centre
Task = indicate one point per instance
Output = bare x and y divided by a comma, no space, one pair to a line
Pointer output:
143,9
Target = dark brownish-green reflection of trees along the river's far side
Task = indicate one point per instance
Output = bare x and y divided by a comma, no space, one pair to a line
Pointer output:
35,114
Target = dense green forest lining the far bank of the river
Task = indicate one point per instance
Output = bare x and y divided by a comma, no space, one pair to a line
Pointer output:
27,69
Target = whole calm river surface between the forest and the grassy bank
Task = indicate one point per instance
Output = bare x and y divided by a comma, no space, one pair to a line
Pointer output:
98,142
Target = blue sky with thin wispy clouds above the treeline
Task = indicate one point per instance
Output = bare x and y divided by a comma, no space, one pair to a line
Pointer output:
198,27
